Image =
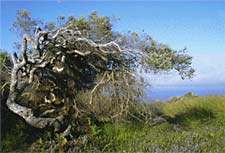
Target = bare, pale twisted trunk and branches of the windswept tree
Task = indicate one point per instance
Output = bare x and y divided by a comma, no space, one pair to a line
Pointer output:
64,41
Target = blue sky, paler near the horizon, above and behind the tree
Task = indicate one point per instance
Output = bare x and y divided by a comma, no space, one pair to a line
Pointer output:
199,26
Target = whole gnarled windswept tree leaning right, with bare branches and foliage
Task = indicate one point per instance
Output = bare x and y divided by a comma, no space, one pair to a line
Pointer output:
83,67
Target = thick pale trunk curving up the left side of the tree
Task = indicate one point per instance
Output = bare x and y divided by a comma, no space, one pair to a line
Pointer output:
25,112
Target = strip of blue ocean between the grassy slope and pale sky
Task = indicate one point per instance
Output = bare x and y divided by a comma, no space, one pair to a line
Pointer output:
163,93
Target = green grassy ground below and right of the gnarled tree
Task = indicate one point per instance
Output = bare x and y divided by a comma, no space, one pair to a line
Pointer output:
193,124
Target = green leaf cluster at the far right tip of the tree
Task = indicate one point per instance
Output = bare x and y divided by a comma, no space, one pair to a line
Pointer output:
162,58
